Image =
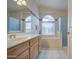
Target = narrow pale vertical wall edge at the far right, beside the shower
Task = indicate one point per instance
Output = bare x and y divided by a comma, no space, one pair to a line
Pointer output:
69,48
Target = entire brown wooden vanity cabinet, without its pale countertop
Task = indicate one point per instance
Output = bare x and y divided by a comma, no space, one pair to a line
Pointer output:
25,50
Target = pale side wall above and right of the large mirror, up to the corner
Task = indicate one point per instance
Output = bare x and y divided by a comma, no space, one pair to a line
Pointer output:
34,8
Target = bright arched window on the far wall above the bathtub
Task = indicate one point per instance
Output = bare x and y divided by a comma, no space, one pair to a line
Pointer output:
48,25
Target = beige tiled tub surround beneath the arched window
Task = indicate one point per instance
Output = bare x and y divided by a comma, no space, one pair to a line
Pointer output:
50,42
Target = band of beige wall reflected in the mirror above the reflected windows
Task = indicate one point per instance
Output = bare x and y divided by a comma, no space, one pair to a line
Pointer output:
22,14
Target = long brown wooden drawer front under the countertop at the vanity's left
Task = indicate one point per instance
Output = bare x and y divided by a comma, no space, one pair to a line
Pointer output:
16,50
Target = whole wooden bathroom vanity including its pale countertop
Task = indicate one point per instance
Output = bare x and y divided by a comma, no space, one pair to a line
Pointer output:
23,48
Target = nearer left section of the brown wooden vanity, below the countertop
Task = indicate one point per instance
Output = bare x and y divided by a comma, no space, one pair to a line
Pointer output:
20,51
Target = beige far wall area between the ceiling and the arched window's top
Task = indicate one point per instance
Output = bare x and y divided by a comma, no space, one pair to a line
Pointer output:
43,10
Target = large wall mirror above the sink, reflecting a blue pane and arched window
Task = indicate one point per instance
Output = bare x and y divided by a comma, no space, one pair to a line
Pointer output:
18,17
